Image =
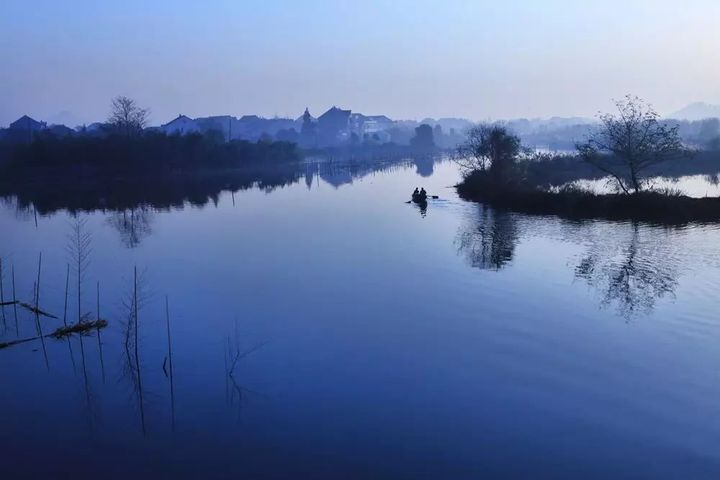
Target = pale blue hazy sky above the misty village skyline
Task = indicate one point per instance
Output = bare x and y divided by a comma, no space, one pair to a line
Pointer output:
405,58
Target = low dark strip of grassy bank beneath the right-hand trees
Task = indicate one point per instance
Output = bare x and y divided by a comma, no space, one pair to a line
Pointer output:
655,207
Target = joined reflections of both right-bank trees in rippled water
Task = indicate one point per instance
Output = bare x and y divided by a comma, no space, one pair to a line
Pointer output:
629,265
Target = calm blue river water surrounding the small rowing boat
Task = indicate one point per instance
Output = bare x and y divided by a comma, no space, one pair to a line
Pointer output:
373,340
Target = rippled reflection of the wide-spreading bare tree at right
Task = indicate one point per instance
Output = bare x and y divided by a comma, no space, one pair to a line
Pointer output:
630,273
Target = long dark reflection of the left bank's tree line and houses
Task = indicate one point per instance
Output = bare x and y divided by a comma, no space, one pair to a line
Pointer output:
175,191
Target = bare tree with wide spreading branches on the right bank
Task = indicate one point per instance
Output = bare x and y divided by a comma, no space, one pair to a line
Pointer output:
628,143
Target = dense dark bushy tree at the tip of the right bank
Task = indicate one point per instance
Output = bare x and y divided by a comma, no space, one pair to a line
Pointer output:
489,147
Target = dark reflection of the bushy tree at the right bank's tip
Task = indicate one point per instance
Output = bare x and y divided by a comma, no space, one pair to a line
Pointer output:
488,240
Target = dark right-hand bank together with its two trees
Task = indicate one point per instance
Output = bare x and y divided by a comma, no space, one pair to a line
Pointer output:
628,148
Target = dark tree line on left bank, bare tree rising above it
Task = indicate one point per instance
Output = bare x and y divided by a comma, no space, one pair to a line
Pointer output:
126,147
